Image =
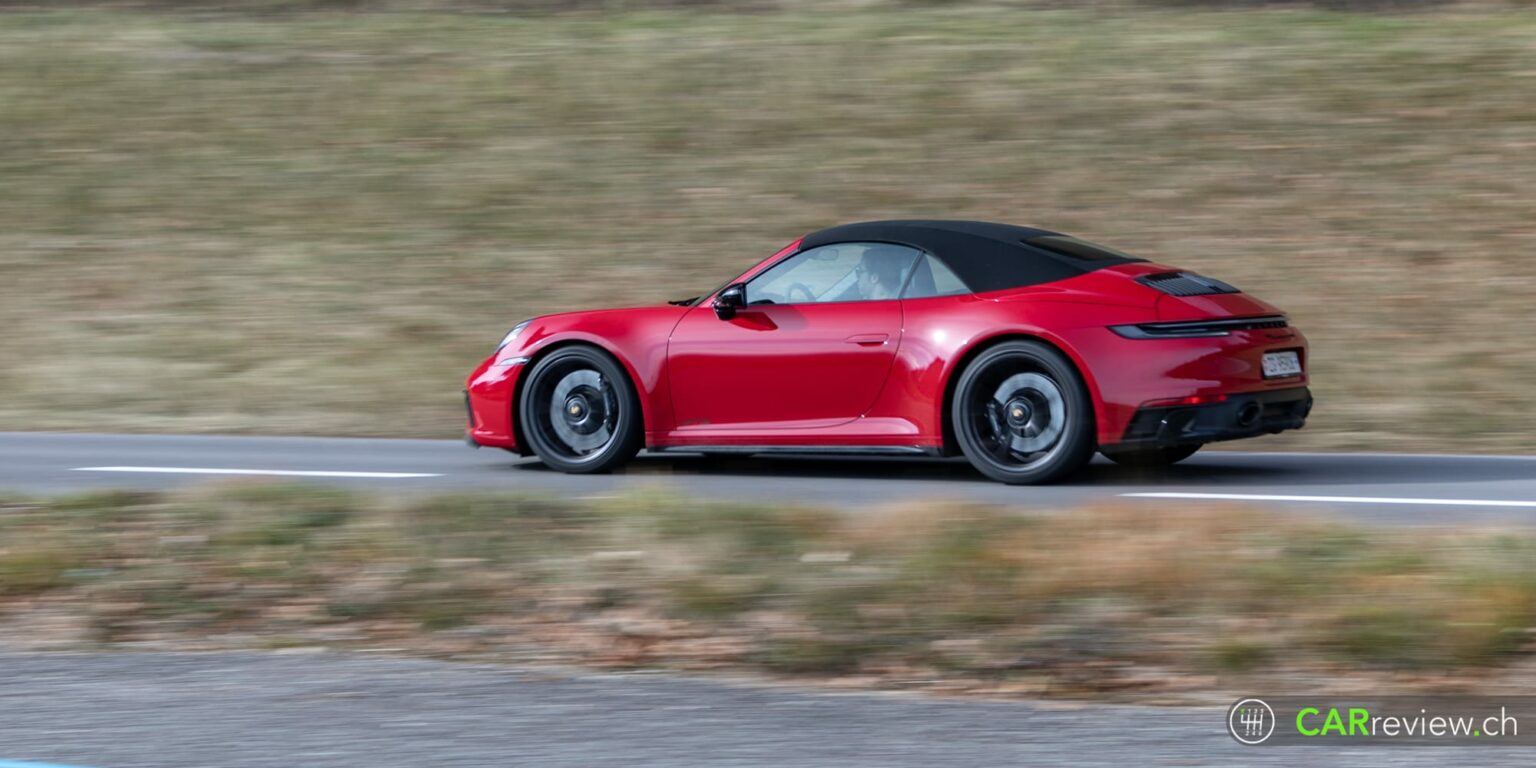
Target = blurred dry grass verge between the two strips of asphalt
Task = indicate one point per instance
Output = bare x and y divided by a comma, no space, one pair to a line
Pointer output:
1104,601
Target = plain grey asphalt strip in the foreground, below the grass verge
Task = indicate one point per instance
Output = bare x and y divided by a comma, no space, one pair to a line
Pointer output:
145,710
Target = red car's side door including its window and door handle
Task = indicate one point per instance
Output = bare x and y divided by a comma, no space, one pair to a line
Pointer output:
812,348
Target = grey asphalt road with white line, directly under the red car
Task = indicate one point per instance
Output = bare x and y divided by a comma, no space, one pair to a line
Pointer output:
1397,489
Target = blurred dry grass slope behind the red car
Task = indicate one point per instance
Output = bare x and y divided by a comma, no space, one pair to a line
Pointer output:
317,223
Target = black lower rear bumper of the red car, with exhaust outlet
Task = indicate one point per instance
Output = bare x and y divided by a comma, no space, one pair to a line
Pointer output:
1245,415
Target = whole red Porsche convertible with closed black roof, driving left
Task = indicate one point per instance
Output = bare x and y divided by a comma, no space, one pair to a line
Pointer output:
1021,348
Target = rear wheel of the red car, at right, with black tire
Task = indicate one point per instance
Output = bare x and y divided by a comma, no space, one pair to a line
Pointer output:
1022,414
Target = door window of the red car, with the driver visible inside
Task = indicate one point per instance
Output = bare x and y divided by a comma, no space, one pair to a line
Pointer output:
841,273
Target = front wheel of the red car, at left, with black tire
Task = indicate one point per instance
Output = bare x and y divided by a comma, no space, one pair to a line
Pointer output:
597,425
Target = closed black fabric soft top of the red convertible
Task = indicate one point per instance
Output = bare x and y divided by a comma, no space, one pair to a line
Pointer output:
982,254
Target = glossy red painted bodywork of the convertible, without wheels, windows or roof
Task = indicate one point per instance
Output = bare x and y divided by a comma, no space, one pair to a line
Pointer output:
876,374
